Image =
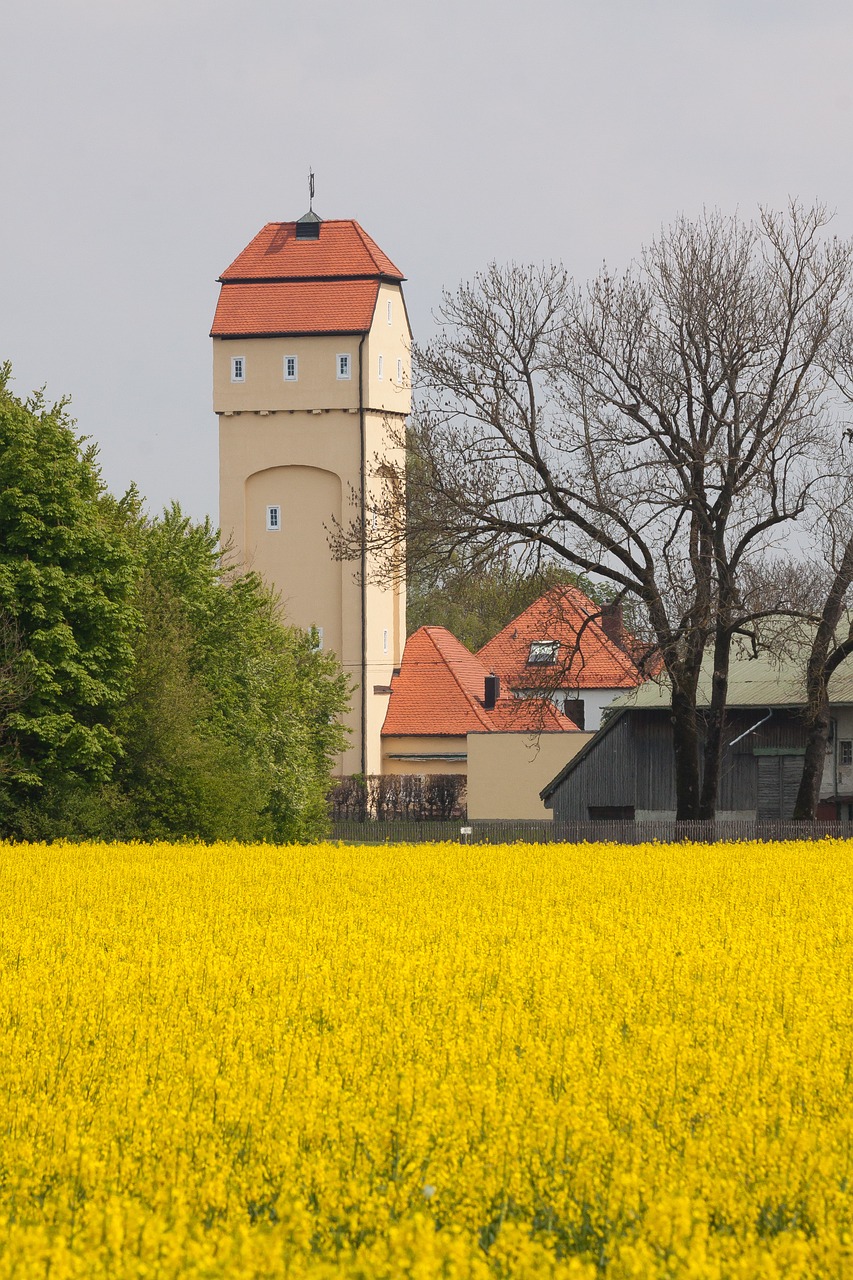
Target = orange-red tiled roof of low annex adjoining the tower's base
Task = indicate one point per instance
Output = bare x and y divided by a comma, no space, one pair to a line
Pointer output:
440,693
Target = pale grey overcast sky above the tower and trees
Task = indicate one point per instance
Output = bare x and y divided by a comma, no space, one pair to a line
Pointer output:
147,141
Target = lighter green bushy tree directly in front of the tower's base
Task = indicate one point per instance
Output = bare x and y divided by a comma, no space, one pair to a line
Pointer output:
232,721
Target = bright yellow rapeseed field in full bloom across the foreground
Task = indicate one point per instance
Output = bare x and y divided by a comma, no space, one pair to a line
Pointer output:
427,1062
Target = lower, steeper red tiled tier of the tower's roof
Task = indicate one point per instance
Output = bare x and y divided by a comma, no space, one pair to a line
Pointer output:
295,307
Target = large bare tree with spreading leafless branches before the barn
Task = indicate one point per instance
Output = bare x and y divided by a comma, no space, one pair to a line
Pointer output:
665,431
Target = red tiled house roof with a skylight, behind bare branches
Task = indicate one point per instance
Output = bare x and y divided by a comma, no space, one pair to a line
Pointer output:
596,662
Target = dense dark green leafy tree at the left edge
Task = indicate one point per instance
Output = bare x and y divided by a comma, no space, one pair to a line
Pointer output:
67,587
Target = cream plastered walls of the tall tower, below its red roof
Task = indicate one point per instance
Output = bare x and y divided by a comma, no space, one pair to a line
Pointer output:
298,445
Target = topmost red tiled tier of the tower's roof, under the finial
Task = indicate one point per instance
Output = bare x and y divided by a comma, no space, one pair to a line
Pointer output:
343,250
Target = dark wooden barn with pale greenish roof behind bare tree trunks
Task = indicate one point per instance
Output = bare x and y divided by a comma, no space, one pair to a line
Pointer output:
627,772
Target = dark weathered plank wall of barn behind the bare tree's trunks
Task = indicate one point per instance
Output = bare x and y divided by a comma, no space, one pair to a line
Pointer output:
633,765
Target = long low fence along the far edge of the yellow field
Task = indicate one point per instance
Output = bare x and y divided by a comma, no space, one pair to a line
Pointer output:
482,833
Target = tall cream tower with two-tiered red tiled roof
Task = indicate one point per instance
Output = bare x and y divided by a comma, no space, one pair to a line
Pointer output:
312,381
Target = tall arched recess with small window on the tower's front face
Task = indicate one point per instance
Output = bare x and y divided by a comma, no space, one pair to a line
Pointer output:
295,555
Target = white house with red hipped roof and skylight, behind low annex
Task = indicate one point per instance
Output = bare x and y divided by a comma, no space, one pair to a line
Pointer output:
568,650
